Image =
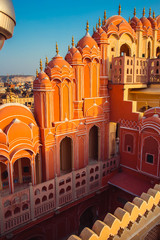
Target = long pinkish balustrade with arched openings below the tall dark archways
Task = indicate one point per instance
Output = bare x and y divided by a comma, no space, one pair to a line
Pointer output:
36,201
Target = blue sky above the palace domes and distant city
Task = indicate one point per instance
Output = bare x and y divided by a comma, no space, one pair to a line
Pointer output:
41,23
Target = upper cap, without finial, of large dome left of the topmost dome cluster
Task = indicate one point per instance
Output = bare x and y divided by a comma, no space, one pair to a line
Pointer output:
87,40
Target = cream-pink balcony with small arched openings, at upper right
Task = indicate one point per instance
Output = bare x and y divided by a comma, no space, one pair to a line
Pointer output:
133,70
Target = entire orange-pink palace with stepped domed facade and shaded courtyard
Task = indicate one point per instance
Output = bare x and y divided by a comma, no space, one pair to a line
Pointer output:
80,164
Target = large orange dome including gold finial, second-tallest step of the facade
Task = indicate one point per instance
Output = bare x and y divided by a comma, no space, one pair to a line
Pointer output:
88,46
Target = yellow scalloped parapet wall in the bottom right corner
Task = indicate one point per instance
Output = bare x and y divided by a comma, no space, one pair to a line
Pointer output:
134,221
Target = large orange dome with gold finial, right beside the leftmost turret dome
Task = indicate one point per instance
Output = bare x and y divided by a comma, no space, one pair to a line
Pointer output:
59,68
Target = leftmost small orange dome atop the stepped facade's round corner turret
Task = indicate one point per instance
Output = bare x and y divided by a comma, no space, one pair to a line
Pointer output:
42,81
